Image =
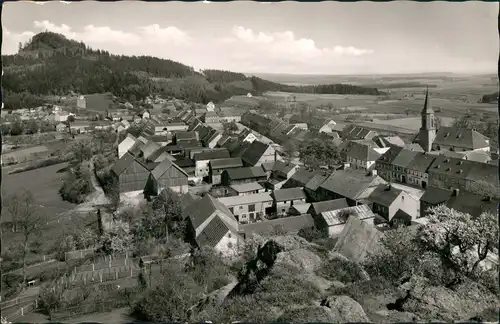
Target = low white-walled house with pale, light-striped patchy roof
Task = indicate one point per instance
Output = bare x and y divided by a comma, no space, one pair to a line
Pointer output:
334,221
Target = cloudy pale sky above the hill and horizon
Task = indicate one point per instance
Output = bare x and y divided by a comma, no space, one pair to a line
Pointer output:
287,37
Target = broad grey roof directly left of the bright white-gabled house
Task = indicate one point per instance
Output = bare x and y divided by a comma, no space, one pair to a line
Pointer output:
348,183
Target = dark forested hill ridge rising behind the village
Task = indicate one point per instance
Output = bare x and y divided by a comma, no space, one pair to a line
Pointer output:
51,64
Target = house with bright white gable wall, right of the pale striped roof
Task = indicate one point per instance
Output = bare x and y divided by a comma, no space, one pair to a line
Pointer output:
388,201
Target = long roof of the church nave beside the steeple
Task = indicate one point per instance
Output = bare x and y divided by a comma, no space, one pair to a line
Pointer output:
460,137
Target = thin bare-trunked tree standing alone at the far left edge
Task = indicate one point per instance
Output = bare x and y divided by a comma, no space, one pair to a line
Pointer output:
27,219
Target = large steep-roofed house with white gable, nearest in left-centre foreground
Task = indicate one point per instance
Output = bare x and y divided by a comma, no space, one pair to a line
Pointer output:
212,224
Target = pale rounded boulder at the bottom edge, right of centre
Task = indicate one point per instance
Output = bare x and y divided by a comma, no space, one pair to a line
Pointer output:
347,309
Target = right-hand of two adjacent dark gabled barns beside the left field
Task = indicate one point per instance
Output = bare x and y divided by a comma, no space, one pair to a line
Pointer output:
168,175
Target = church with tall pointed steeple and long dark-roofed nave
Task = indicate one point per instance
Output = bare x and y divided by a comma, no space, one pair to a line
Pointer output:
433,140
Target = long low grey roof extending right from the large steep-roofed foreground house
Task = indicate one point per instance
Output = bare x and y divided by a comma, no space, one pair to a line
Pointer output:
291,224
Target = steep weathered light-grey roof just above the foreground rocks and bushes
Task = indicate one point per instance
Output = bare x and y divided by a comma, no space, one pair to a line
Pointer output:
358,240
